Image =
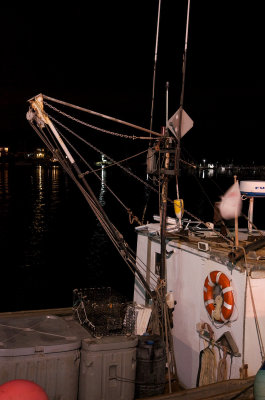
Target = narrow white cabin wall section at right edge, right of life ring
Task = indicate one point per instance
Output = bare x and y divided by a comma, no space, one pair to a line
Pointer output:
252,347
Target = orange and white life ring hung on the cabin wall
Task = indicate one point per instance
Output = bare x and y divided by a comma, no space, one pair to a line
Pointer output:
227,303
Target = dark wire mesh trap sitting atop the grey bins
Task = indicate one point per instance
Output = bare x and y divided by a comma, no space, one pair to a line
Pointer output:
103,313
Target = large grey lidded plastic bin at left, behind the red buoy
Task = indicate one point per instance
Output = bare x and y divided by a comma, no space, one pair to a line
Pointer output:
43,349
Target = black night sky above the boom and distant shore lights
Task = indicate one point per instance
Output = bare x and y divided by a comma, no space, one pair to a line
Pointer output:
100,56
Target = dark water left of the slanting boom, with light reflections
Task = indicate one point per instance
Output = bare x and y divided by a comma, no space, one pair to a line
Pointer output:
51,242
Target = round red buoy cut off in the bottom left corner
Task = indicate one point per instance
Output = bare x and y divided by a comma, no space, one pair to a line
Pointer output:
21,389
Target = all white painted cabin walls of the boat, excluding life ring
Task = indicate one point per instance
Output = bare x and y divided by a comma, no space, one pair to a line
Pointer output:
187,269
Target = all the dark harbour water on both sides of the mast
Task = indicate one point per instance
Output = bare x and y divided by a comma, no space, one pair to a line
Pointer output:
51,243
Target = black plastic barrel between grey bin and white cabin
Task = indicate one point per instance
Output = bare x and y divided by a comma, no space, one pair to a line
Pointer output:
150,366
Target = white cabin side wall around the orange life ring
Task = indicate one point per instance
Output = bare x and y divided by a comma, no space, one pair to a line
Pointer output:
187,271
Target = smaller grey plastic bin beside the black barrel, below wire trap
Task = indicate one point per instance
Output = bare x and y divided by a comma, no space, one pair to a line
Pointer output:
107,369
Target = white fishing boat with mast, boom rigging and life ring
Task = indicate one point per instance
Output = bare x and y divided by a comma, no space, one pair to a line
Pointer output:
199,285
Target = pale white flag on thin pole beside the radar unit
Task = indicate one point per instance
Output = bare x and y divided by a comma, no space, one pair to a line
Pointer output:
231,203
